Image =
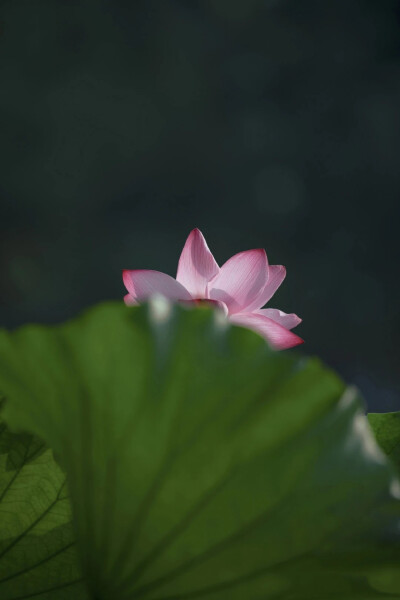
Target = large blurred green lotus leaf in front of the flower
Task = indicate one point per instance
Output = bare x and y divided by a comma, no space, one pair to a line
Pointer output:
201,463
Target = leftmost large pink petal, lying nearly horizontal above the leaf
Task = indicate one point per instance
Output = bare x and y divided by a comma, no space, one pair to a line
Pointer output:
142,284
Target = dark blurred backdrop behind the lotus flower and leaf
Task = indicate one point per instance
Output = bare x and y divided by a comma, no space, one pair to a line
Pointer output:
265,123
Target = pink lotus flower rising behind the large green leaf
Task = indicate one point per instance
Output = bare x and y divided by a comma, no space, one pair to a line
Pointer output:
240,288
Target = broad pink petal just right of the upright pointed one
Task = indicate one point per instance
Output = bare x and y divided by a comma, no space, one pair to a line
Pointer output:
240,280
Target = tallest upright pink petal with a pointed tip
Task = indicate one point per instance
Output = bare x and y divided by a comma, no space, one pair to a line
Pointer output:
196,265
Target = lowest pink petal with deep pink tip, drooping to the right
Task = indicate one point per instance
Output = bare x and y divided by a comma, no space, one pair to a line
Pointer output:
276,335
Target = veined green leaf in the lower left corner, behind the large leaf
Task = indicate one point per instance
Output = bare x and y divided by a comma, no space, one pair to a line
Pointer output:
37,550
